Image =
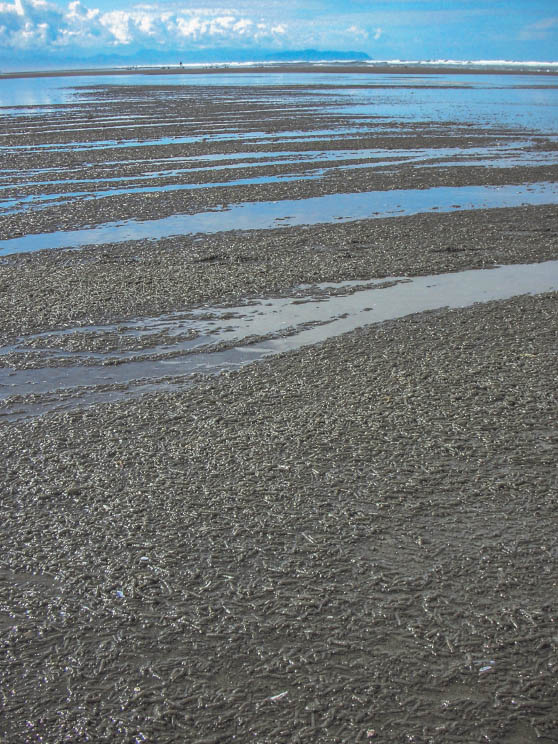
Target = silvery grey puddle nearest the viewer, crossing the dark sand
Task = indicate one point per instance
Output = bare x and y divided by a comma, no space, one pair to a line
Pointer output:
308,316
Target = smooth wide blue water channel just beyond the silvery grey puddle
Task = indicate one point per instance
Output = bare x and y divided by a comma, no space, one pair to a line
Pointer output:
291,212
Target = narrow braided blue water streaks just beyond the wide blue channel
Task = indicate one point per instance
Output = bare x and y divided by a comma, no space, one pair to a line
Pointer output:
317,164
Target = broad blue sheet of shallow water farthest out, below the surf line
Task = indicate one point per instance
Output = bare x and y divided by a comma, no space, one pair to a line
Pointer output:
516,101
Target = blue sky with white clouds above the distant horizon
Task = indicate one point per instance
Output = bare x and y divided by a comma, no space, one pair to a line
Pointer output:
384,29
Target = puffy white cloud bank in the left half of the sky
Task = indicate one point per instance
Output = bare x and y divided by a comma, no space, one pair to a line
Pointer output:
43,26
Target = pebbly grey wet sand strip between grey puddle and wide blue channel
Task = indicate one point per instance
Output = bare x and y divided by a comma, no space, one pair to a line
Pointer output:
59,288
